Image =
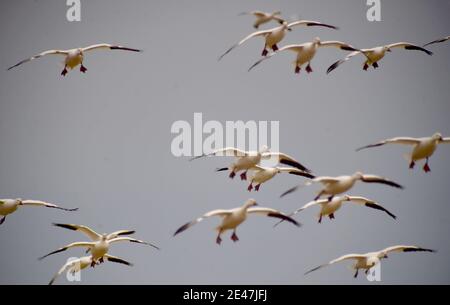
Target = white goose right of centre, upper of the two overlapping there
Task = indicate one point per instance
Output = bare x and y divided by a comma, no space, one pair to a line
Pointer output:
337,185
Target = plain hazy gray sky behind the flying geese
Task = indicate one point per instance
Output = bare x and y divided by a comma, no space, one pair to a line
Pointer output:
101,141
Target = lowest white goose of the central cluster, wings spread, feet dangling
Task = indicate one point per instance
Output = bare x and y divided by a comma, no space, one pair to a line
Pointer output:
231,219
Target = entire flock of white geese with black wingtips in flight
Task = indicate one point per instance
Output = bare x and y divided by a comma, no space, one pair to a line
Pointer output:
331,196
